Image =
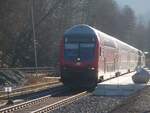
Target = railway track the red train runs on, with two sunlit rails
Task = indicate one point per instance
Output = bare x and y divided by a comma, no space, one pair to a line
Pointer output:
46,103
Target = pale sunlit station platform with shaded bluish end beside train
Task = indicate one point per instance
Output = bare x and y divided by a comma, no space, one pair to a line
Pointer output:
120,86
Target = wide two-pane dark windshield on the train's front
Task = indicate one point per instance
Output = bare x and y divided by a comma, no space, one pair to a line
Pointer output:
82,49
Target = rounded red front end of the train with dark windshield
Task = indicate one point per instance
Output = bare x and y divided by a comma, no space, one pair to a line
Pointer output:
79,57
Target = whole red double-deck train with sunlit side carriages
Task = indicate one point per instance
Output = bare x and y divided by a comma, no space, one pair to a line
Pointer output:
88,55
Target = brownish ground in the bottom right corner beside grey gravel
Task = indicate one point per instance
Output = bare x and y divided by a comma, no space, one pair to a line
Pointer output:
138,104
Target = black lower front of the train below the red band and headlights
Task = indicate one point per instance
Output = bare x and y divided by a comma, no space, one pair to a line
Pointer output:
79,78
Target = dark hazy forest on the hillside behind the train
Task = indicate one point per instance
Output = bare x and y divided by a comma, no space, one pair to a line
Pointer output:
52,18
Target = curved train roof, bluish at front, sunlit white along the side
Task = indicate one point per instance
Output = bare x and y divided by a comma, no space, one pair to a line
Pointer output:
84,29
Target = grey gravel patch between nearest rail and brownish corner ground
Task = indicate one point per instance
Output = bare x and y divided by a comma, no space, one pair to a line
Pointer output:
91,104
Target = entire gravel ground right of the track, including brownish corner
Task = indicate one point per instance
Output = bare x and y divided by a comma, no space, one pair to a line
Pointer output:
136,103
